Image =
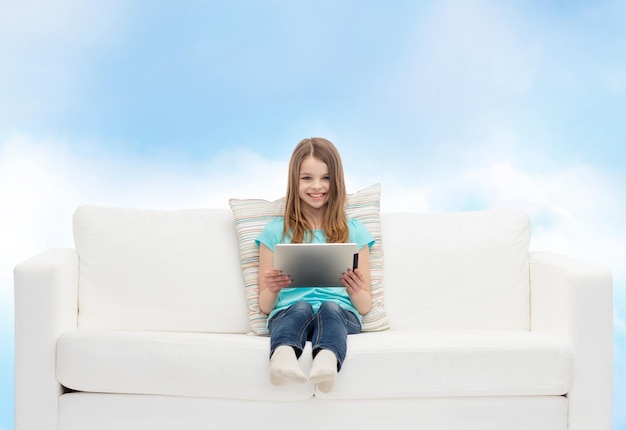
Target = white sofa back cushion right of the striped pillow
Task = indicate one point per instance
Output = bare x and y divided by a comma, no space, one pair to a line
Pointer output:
466,270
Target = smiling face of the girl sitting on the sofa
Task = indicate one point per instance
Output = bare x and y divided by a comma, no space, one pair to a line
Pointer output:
313,184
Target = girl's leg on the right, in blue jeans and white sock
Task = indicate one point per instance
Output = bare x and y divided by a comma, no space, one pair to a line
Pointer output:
330,336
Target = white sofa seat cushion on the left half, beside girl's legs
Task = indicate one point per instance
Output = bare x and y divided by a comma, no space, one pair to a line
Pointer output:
225,366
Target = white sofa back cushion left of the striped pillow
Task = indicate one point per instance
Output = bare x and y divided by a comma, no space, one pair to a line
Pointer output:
159,270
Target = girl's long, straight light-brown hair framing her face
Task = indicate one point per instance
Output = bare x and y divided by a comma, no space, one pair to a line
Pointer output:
334,222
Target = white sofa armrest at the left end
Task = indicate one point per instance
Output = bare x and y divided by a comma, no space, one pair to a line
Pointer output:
46,304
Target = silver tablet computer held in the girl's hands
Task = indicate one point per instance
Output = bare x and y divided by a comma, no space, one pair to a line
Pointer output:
315,264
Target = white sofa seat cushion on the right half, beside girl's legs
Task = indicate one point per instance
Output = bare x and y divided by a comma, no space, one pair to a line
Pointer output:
399,364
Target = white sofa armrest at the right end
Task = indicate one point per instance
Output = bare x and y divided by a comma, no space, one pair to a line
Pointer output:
573,299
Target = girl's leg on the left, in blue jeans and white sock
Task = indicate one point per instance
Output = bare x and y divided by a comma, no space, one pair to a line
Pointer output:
288,333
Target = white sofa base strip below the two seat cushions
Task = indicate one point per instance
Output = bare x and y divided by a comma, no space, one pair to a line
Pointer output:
79,411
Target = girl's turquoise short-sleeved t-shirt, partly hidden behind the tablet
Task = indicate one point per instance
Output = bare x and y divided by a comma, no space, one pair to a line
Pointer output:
273,234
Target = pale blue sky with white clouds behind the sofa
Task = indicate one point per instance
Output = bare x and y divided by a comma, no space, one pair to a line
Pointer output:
451,105
